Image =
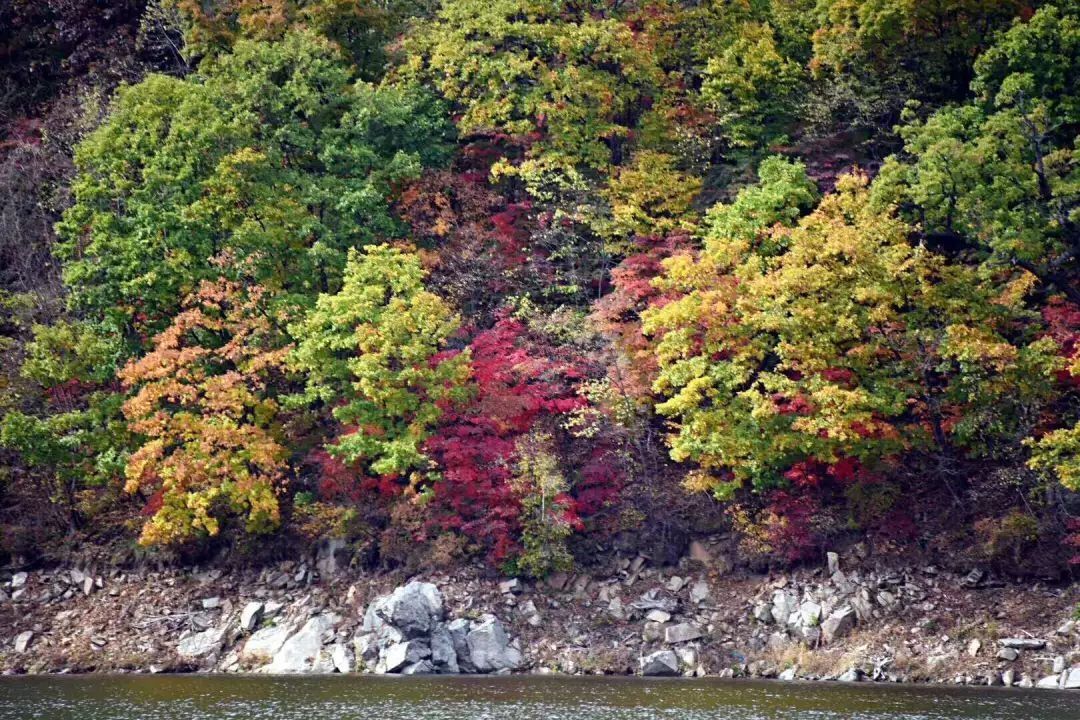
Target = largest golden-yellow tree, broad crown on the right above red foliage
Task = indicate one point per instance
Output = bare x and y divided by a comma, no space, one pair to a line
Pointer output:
839,339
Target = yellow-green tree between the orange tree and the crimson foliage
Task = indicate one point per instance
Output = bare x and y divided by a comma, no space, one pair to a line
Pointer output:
374,352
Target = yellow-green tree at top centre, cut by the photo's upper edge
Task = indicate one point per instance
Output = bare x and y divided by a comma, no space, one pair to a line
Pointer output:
572,74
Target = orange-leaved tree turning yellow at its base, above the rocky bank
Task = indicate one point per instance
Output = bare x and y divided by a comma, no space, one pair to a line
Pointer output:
207,403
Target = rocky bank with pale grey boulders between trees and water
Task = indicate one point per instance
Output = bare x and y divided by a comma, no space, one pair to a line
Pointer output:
846,621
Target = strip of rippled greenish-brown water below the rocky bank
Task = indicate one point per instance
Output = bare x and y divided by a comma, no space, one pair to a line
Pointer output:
342,698
